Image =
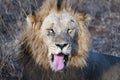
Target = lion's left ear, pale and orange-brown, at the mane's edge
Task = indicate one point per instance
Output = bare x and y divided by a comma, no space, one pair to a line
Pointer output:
31,19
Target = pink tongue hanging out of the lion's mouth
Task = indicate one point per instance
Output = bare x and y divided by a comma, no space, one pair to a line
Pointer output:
58,62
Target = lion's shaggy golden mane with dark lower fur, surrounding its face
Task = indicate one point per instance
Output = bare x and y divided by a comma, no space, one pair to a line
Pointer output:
33,50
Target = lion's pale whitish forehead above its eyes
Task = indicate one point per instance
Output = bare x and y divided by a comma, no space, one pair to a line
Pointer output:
58,19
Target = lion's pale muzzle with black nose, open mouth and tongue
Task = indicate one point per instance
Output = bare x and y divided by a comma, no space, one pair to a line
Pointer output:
60,53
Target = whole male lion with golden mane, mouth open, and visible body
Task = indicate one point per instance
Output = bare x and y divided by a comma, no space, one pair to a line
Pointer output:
55,46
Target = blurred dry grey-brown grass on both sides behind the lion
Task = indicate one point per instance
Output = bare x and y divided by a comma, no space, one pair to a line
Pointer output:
104,28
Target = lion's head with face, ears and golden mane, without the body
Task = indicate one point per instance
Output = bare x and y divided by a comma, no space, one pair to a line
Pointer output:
56,37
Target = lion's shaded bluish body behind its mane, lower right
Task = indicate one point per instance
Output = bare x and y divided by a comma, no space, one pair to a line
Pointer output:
102,67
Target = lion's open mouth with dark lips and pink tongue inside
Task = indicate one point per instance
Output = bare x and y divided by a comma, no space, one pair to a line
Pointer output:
59,61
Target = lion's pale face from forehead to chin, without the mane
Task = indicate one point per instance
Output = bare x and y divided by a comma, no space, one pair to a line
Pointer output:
60,32
